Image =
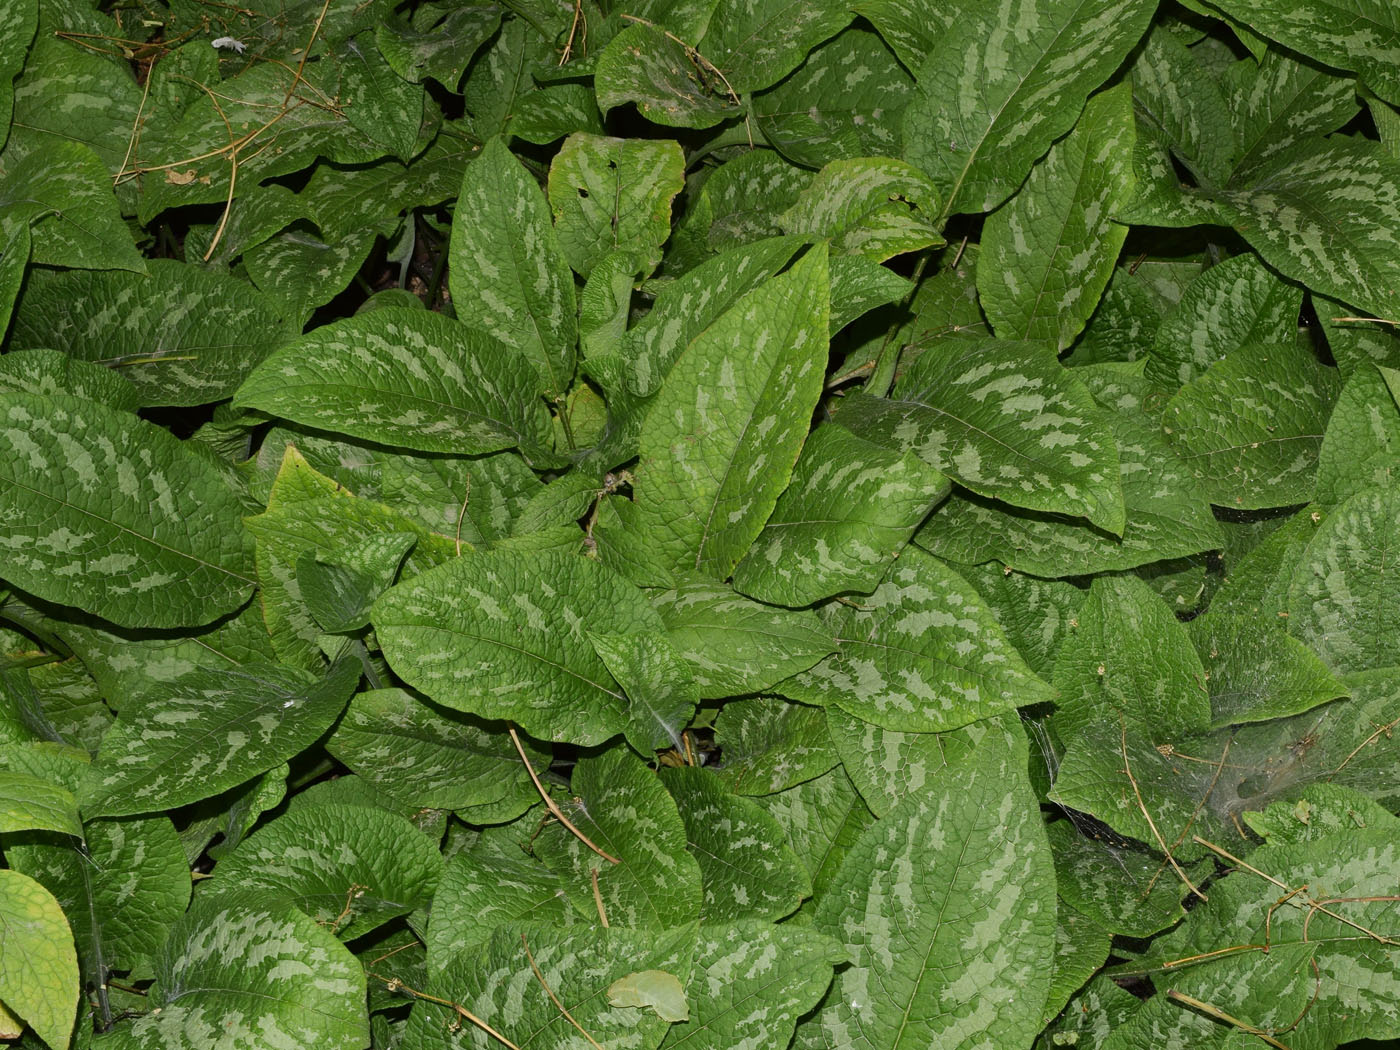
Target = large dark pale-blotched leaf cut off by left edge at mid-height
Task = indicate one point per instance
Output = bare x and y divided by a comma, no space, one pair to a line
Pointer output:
115,516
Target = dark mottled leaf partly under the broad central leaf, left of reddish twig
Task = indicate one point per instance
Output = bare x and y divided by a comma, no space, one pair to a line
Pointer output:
429,755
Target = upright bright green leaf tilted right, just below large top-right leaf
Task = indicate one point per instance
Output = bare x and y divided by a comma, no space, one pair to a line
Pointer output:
1049,253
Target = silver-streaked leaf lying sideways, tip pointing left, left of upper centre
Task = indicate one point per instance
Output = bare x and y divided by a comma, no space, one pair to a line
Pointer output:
407,379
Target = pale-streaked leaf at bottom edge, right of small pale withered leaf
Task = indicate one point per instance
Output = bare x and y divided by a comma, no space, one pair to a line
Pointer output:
751,983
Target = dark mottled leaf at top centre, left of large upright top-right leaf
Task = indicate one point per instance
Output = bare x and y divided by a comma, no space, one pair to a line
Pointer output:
843,101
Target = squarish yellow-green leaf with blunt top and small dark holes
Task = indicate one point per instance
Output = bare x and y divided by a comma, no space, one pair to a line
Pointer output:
610,194
